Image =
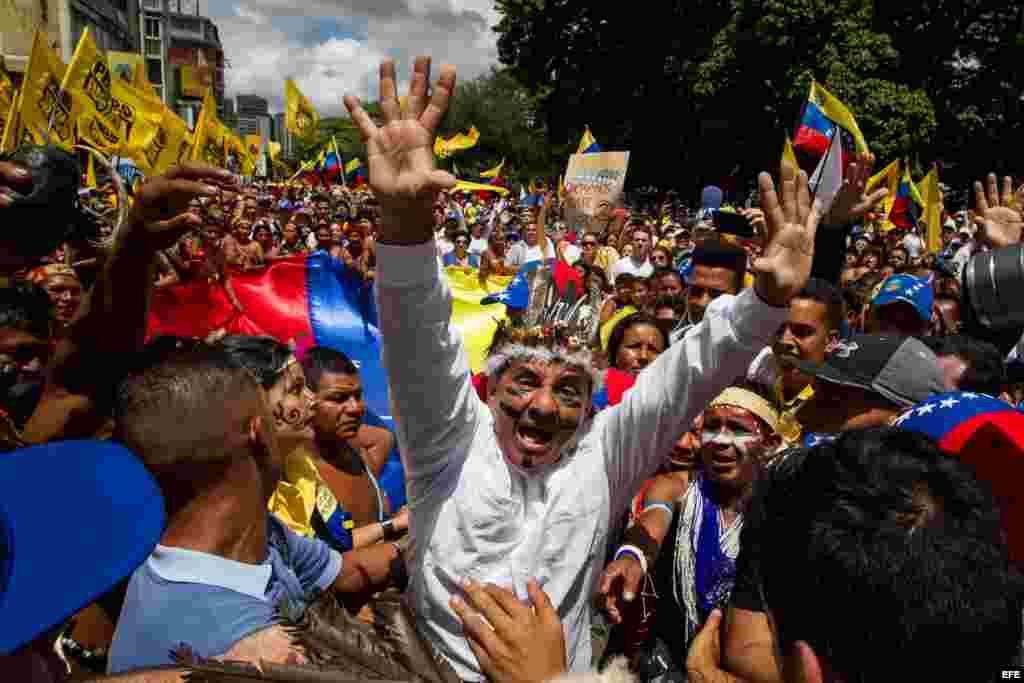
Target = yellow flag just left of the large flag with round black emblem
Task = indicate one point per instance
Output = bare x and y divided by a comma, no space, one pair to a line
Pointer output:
45,112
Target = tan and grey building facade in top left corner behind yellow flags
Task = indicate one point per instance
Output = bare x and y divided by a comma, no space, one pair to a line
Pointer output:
115,26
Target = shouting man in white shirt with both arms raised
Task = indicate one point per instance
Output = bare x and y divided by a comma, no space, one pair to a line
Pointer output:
526,485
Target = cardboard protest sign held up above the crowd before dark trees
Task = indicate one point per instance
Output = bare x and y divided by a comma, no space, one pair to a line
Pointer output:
593,188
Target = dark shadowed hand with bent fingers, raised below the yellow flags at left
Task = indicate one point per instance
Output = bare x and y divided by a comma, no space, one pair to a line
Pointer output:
162,212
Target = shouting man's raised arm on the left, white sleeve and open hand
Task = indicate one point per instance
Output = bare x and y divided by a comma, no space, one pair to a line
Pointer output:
433,397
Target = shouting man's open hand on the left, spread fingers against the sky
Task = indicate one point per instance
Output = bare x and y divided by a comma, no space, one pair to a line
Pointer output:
401,156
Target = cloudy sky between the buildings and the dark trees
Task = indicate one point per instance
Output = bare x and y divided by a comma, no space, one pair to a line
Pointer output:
334,47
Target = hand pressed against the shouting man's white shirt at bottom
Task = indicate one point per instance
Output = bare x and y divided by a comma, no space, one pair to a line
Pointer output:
523,644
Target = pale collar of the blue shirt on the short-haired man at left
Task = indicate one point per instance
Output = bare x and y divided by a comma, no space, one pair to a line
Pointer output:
190,567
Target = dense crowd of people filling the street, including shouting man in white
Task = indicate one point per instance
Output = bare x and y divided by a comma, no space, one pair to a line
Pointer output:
788,453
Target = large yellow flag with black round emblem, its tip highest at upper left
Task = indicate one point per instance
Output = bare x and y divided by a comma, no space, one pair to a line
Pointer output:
116,118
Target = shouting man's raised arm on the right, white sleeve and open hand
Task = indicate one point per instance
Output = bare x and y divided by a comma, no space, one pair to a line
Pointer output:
641,432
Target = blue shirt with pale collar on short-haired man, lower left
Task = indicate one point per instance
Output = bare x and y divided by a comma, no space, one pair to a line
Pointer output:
210,604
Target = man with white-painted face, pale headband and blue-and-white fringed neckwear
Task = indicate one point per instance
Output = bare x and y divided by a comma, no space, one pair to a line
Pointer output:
685,545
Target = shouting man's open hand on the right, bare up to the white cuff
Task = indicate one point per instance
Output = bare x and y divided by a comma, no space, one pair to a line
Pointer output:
792,223
